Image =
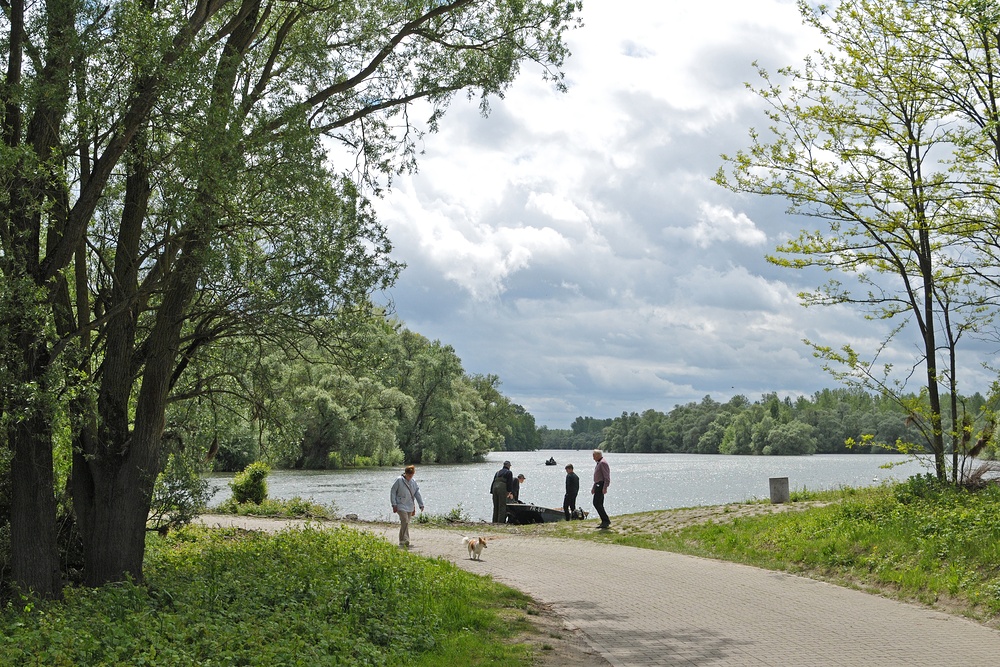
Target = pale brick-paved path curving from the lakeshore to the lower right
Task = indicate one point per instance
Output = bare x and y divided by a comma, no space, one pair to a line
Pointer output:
644,608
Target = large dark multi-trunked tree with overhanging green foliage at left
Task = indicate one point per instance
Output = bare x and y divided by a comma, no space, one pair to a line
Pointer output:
166,188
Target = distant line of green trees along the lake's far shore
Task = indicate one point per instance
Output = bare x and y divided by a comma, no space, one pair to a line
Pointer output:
831,421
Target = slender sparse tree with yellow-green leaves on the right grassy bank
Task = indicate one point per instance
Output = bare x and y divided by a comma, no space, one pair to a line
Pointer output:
887,138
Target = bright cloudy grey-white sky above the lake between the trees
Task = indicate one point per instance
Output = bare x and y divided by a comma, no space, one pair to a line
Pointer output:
574,244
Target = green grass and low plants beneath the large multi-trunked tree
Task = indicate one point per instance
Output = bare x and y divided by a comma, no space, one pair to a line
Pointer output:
298,597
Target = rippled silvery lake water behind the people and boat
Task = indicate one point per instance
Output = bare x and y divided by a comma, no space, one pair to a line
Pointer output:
639,482
